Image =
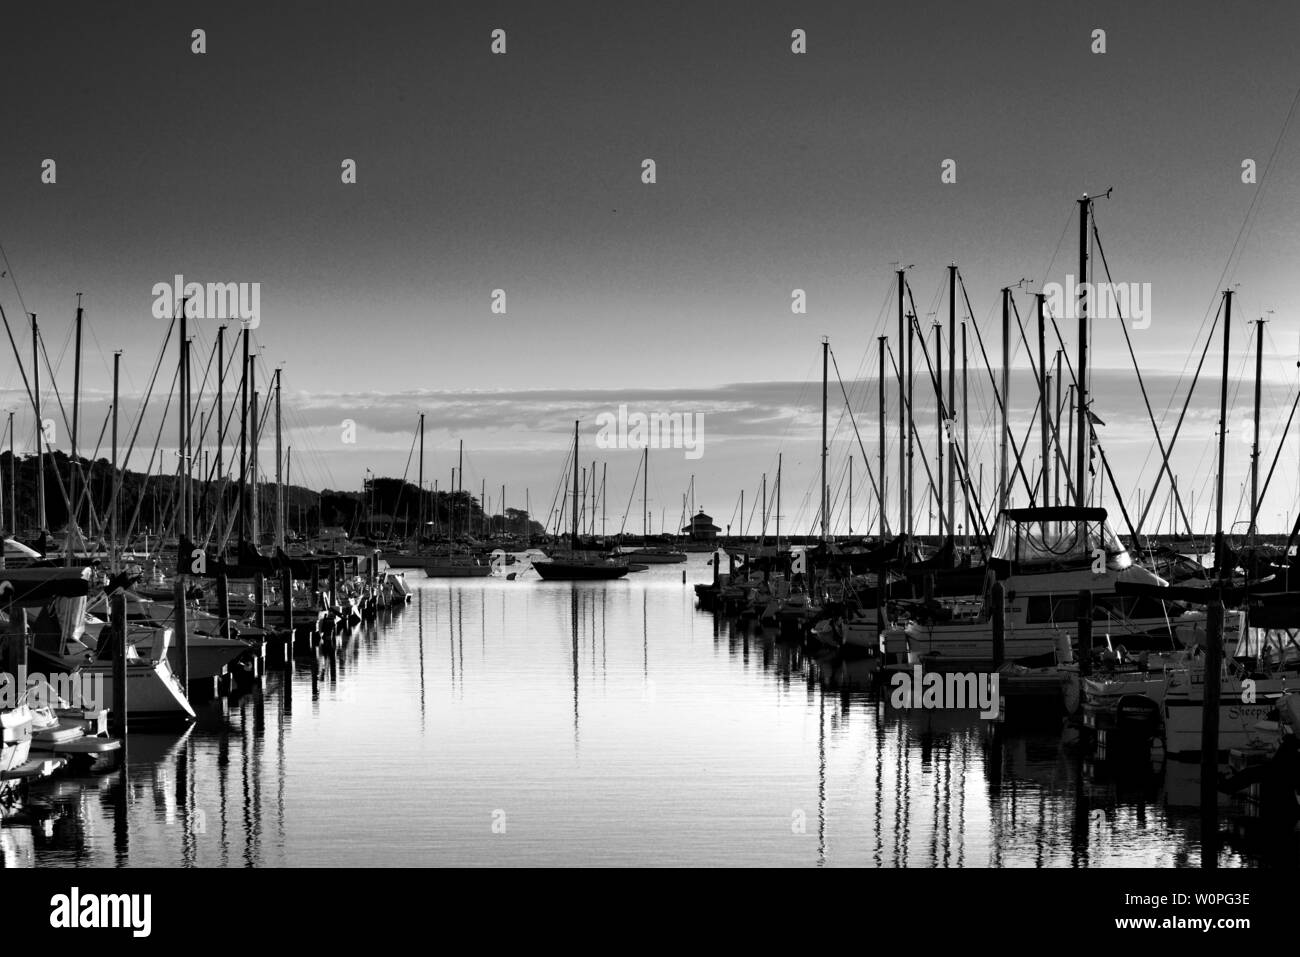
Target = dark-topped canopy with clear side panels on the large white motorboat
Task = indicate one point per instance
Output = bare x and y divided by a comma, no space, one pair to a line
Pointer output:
1055,536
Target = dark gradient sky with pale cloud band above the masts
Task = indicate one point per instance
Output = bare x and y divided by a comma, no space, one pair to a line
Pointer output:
775,171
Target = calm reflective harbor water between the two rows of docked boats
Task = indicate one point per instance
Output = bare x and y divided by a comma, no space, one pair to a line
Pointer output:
541,724
